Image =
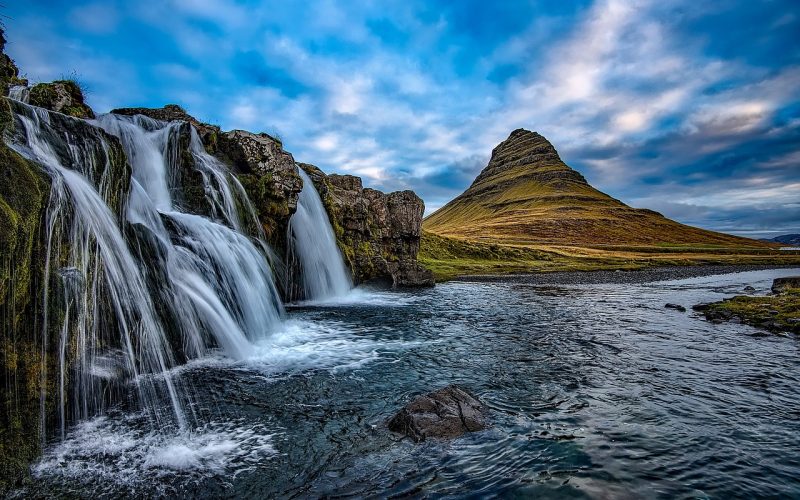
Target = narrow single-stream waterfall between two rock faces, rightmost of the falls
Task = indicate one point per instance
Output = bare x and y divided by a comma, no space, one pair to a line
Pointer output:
312,242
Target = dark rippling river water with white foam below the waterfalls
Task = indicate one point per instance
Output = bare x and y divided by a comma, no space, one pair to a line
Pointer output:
594,390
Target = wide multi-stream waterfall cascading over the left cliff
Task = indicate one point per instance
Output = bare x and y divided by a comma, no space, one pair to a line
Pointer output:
135,282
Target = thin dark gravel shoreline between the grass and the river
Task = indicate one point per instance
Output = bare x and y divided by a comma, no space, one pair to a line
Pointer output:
645,275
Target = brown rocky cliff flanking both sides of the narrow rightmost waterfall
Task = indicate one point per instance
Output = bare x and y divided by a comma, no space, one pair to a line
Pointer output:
378,233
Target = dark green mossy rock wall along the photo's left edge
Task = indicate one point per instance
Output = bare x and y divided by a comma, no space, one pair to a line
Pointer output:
23,192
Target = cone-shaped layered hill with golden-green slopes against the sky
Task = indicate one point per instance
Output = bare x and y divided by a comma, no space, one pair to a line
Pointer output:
527,194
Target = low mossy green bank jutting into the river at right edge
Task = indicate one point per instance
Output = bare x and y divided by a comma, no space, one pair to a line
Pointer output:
777,313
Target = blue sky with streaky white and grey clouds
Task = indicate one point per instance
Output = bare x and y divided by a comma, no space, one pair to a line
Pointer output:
687,107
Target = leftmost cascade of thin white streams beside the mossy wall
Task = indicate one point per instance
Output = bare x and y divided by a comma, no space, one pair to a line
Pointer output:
104,299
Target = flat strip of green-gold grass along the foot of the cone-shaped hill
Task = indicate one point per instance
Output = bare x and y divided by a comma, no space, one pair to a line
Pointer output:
451,257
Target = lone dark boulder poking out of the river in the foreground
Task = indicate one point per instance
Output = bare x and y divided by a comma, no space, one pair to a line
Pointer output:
446,413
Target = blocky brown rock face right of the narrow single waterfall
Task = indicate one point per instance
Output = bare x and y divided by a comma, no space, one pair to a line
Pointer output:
378,233
